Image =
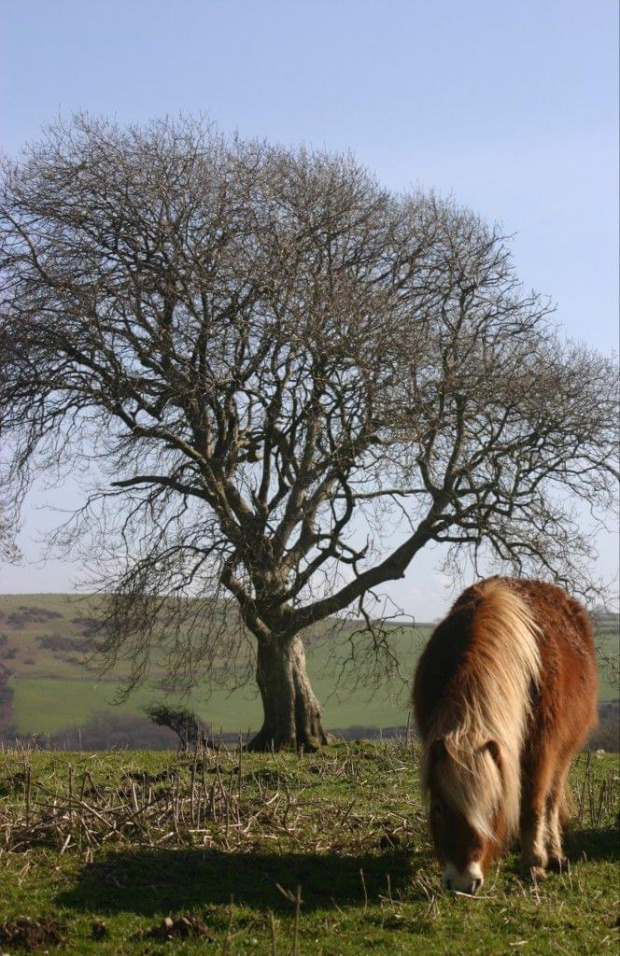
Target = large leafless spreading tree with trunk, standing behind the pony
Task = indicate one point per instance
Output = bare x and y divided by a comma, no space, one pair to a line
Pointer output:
268,366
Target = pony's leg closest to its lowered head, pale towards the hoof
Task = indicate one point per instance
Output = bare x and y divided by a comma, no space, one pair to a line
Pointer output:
535,792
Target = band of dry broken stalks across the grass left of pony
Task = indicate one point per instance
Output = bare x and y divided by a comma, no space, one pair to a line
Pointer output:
217,799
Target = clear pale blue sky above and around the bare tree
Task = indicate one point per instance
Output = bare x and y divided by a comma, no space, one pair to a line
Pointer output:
511,108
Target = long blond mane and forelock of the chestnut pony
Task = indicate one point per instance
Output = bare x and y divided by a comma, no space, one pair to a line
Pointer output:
488,699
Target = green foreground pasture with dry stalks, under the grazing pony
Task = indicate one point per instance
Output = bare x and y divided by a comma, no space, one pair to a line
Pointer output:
227,852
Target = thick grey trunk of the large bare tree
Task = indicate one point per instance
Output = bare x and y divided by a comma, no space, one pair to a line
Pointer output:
292,712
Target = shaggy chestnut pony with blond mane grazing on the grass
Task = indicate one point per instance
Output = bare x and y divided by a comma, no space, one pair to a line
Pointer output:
504,694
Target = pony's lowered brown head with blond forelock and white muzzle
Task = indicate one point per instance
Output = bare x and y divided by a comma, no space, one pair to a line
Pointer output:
466,811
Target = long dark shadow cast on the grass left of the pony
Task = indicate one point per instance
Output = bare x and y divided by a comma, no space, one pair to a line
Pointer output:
146,882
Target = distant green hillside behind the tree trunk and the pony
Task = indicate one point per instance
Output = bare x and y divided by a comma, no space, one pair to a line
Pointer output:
49,682
